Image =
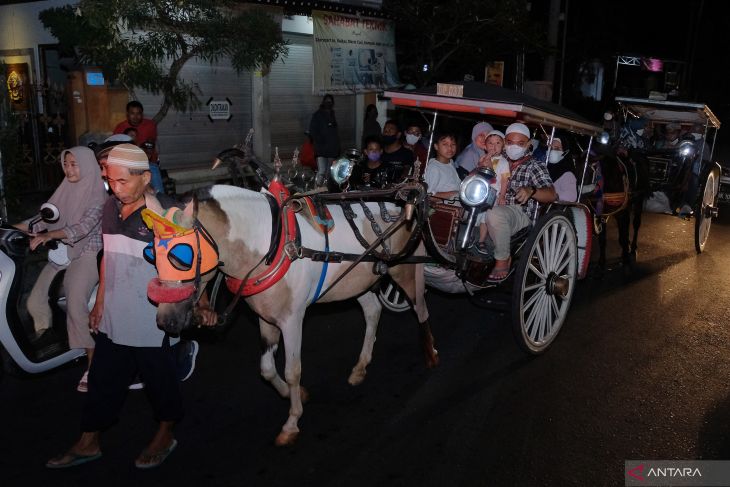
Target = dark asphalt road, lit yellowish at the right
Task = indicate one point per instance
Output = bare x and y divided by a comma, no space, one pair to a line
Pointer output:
639,371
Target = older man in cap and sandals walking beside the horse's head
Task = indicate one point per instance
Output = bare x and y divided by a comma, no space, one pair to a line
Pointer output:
128,340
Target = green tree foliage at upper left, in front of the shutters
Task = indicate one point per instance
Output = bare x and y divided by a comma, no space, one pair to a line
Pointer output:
145,43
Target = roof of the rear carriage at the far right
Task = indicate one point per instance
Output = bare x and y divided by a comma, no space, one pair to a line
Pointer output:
670,111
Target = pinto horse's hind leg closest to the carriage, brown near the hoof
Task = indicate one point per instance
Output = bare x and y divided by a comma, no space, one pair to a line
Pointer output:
412,280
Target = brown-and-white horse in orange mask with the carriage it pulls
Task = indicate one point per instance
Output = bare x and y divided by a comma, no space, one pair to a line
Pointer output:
282,252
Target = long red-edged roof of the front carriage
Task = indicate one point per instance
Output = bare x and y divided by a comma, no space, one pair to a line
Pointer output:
480,98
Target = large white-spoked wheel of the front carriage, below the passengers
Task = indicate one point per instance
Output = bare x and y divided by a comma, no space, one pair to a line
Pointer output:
545,279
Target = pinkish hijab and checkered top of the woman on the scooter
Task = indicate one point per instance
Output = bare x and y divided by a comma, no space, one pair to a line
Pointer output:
74,199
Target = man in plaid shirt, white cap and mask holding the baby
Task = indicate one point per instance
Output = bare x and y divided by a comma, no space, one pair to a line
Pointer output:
529,185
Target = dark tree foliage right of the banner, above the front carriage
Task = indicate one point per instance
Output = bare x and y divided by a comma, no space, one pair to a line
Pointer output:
460,36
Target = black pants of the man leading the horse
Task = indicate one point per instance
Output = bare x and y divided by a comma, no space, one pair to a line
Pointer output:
114,367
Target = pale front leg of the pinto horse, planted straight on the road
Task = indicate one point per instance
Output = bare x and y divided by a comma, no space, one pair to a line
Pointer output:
291,329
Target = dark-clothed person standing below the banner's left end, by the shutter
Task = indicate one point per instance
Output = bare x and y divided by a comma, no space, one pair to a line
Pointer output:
323,130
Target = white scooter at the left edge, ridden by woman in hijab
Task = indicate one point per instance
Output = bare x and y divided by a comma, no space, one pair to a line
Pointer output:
19,269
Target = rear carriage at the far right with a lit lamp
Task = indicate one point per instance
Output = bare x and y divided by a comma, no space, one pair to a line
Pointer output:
681,169
